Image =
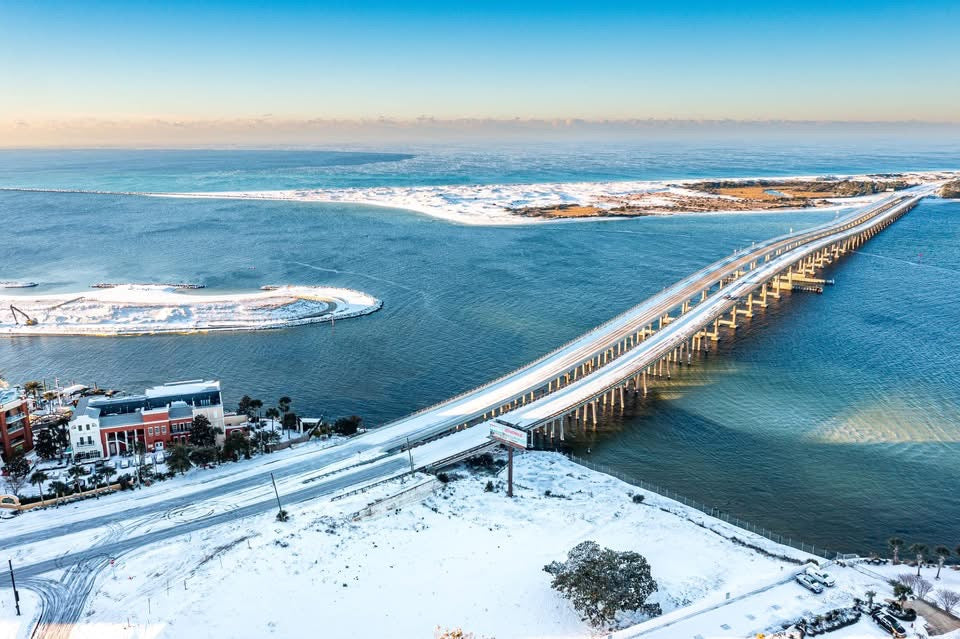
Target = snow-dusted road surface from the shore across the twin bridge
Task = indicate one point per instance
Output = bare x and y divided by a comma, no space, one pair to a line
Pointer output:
325,472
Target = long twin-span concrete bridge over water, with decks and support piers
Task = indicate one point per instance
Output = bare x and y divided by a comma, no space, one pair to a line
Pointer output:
567,386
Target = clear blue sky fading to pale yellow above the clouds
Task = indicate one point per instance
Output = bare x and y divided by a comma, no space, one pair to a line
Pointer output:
212,61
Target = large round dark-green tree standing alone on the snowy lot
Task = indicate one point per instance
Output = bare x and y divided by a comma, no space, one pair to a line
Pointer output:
601,582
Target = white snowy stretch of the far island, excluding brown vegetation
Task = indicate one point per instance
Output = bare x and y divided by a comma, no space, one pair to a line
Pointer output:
490,204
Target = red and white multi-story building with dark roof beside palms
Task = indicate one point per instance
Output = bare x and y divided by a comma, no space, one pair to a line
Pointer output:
162,416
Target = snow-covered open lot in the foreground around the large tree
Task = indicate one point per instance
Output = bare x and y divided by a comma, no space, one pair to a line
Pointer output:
461,557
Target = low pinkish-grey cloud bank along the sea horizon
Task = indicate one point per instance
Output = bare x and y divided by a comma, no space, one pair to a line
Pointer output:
269,131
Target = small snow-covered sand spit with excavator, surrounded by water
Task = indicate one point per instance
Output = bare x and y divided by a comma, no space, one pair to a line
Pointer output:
133,309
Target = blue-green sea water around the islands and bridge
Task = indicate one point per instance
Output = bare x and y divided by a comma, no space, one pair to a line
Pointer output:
830,417
